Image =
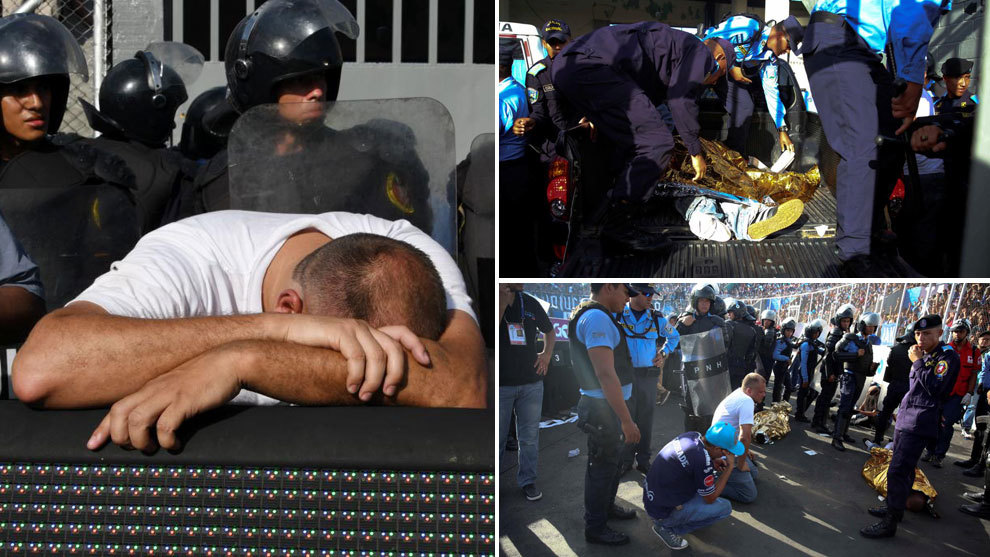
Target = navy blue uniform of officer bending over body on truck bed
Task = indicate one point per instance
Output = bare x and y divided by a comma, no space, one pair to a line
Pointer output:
616,76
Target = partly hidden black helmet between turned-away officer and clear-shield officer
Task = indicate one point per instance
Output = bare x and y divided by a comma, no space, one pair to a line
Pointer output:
204,137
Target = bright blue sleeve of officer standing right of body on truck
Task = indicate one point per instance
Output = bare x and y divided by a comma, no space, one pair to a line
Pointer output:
909,31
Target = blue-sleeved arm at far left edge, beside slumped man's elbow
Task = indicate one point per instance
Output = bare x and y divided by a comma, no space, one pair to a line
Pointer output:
22,298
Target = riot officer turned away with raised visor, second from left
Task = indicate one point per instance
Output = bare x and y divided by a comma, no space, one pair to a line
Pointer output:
138,100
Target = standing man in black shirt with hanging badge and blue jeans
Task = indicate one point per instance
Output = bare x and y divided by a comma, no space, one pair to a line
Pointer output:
520,379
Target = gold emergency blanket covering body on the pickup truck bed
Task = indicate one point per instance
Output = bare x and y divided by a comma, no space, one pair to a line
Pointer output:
728,172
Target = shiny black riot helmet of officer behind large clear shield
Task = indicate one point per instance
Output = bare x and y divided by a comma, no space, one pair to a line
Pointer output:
281,40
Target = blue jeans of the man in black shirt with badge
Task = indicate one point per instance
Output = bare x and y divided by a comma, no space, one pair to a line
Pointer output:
527,402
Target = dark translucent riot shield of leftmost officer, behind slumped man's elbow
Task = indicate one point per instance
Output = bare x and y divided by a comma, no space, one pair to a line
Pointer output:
73,234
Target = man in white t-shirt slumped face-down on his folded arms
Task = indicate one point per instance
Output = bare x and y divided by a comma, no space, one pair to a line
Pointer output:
220,302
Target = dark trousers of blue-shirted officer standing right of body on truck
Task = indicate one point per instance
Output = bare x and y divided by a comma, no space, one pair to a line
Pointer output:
852,91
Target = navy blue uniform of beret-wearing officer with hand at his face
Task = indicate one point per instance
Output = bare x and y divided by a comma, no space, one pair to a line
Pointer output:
931,381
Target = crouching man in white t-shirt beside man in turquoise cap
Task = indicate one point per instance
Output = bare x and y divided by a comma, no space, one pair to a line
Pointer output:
737,411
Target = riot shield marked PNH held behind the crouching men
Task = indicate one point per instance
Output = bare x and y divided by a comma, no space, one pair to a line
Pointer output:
705,369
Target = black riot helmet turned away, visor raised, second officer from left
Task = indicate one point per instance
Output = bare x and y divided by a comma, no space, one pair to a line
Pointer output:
138,100
